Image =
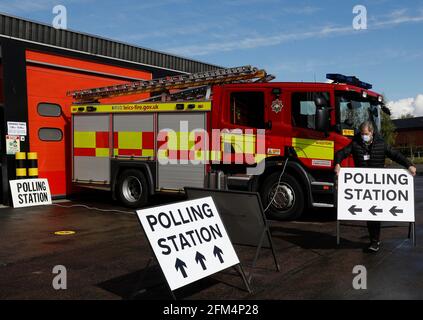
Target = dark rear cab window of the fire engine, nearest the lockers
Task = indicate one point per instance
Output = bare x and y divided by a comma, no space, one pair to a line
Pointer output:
247,109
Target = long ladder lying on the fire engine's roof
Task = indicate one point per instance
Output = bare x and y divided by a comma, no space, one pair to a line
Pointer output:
243,74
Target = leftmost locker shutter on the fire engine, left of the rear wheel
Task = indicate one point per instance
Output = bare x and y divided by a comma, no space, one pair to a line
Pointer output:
90,147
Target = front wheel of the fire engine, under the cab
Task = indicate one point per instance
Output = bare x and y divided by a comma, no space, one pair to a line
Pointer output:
286,197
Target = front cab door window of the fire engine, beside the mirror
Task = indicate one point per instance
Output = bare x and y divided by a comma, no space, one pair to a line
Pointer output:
304,108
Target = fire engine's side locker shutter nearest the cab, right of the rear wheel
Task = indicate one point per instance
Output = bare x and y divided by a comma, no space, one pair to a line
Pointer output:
183,172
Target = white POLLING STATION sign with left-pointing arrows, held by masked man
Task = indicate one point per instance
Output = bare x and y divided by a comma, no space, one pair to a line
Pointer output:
366,194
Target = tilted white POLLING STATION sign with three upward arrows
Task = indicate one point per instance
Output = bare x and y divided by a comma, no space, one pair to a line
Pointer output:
189,240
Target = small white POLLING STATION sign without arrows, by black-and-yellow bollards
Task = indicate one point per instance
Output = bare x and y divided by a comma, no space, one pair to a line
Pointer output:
30,192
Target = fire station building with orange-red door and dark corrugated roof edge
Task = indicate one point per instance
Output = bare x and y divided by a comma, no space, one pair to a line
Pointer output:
38,66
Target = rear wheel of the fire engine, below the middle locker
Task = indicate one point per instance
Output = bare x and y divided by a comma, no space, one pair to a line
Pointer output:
132,188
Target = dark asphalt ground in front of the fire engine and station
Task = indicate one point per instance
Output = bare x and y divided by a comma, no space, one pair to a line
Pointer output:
108,257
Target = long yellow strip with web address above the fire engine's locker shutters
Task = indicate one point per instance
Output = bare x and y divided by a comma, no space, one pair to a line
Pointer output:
143,107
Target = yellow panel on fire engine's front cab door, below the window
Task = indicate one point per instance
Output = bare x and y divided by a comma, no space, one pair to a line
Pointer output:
314,149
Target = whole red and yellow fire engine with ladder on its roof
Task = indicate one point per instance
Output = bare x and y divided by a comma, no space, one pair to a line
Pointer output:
291,127
